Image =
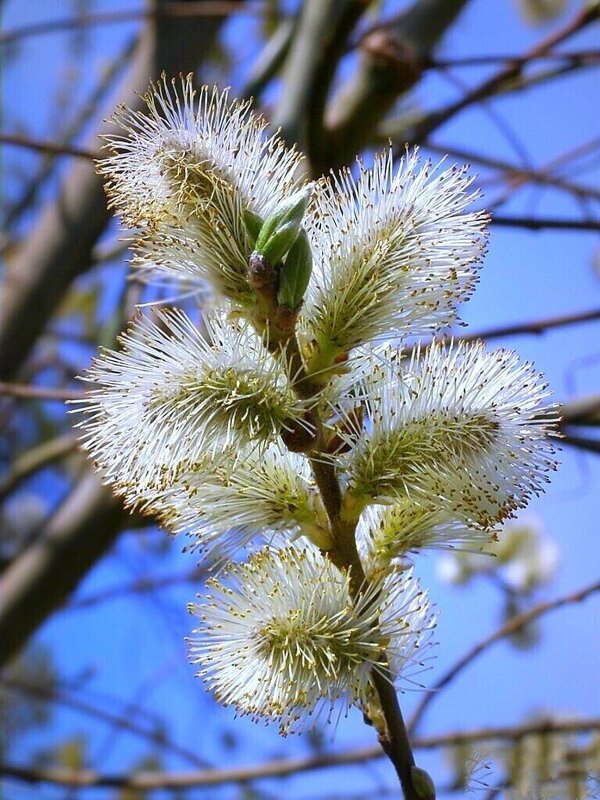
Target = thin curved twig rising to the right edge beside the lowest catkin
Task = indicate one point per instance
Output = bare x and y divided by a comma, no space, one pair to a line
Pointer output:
513,625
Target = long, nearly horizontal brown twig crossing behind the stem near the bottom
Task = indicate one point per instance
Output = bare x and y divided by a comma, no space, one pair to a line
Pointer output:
290,766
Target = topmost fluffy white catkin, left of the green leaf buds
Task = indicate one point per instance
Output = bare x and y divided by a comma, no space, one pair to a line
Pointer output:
186,171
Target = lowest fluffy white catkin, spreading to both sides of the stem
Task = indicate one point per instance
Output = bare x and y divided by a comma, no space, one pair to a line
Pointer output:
281,639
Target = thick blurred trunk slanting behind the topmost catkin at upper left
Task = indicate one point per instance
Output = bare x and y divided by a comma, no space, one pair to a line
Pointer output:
59,248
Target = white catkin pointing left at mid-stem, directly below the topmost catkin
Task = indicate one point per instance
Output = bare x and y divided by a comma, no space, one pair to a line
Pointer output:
170,396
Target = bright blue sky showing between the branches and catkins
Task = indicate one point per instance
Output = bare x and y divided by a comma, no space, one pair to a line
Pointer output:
136,648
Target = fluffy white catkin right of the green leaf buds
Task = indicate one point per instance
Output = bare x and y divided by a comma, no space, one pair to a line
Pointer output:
395,251
